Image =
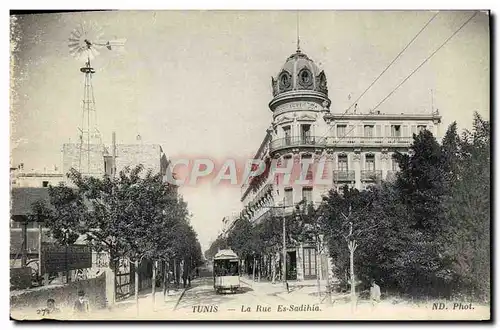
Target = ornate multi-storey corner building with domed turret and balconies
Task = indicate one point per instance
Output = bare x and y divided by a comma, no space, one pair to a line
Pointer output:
356,149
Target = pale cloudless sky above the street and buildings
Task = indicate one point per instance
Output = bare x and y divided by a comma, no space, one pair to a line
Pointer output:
199,82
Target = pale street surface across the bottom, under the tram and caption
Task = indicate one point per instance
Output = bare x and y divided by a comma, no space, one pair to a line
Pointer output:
266,301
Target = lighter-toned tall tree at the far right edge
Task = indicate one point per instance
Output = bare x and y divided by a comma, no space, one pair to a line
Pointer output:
468,208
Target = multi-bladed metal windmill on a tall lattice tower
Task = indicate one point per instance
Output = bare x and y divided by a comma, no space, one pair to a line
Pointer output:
84,44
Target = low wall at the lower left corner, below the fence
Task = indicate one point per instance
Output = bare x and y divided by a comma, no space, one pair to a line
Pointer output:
64,295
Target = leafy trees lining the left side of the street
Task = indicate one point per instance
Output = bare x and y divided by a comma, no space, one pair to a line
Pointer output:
134,215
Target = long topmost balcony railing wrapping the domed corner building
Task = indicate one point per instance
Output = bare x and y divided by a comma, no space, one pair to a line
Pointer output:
347,141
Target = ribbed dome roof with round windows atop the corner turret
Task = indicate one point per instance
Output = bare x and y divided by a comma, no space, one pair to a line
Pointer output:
299,73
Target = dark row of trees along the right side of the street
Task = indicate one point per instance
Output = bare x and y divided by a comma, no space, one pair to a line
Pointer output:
427,232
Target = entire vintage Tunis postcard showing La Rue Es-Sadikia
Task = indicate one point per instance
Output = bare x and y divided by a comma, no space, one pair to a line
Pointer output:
250,165
